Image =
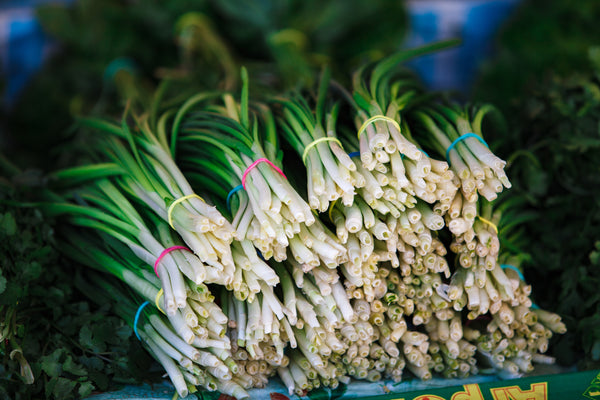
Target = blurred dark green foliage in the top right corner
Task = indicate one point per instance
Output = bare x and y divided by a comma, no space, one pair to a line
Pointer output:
541,38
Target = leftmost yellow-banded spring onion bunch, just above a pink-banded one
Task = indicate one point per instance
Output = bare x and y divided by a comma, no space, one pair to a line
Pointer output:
151,175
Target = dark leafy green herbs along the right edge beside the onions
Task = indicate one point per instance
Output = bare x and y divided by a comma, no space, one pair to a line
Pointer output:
555,142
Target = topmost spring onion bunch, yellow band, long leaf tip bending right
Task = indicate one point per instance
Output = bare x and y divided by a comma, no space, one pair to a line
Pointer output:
382,95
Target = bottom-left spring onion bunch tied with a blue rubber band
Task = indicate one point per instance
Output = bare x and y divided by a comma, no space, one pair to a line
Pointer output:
190,344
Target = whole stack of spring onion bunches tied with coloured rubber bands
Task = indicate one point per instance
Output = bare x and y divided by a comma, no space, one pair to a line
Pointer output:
362,256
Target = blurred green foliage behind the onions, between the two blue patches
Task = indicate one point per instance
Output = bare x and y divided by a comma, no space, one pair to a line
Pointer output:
112,51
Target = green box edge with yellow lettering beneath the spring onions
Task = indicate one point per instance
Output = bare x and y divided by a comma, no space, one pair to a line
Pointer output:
561,386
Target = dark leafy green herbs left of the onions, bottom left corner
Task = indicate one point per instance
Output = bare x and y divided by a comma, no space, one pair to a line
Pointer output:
54,345
